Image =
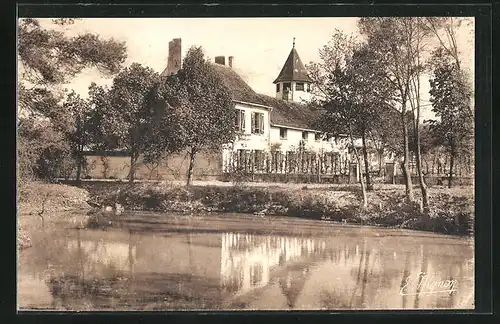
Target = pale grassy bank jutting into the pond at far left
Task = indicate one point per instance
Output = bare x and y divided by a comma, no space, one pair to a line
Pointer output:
43,204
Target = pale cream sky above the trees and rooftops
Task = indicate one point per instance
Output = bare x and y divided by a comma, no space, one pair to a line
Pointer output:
259,46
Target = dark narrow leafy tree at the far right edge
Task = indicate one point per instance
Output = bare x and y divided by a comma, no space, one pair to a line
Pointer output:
451,98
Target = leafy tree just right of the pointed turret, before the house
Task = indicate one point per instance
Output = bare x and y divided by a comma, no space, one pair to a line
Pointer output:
350,76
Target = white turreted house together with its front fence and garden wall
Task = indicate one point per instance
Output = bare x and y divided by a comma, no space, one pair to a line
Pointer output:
276,135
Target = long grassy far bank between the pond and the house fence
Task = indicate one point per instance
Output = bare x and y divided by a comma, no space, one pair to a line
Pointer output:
452,210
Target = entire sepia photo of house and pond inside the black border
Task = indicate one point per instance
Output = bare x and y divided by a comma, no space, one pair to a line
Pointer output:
245,164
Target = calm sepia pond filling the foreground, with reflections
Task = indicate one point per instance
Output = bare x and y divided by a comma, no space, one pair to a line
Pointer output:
153,261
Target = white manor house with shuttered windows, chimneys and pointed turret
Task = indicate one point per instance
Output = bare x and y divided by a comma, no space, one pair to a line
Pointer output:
281,124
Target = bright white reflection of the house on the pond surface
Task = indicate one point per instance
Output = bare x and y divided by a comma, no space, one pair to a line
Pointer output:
247,260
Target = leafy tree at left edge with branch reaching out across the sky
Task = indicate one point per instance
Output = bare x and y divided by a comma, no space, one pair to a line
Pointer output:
48,58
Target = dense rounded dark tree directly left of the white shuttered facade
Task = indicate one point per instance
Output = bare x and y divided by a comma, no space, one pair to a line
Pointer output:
203,106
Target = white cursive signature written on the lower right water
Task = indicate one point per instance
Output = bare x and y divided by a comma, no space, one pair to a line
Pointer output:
424,284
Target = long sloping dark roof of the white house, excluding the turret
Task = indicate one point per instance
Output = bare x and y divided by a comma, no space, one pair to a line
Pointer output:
284,113
